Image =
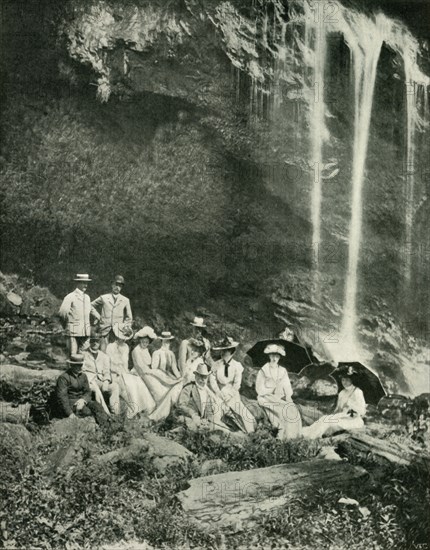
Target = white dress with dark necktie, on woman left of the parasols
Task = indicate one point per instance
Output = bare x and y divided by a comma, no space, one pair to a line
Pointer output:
227,389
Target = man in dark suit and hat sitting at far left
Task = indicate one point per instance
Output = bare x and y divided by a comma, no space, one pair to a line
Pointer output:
74,394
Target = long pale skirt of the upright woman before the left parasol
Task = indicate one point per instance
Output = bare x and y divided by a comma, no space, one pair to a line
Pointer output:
283,415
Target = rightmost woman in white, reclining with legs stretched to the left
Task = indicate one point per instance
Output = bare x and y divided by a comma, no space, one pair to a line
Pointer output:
348,414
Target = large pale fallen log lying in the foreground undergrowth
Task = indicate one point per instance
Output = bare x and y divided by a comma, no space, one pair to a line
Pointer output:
234,500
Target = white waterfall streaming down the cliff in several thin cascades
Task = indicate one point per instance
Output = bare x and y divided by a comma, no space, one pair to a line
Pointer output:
301,58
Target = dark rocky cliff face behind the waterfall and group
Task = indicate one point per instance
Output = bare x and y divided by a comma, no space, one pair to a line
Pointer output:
206,111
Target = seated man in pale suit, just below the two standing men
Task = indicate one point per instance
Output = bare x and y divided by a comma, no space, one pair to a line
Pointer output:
97,368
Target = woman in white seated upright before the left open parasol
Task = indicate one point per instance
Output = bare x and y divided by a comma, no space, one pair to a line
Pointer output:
275,395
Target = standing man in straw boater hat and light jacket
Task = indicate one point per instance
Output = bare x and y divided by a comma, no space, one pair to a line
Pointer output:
75,313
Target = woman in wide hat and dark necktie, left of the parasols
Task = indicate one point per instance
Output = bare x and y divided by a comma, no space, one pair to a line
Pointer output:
225,381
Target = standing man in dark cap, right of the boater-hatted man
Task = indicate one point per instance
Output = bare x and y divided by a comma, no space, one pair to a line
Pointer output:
115,310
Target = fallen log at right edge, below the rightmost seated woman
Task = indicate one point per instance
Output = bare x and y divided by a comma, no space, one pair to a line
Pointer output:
396,453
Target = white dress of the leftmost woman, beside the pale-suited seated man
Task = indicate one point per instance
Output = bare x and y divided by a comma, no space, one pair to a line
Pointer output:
133,390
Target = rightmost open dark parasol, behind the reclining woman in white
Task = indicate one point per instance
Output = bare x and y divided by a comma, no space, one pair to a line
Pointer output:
364,378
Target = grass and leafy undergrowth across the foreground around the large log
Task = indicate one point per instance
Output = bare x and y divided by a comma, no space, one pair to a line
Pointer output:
131,501
